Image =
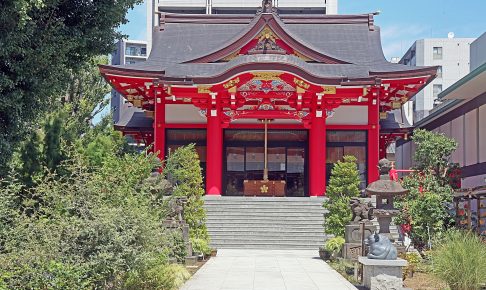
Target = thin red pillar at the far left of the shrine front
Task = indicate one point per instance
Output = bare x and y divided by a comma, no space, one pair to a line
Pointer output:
159,124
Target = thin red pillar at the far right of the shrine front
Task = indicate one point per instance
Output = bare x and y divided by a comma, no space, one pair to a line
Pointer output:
374,136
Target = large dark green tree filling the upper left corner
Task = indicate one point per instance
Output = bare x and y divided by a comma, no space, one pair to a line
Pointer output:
43,43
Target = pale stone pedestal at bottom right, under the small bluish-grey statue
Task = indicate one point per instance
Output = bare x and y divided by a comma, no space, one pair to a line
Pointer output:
373,268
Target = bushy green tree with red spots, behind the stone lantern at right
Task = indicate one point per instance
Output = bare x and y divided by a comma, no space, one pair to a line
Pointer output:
427,208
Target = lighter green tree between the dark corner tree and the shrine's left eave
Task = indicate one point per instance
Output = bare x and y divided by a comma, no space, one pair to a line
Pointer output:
70,124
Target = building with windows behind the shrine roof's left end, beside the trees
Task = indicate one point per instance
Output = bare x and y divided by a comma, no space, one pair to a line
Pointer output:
126,52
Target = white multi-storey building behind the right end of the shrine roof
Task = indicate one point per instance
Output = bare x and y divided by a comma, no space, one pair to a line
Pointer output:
451,55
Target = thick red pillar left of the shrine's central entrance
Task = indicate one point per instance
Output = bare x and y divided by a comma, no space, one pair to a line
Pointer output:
214,160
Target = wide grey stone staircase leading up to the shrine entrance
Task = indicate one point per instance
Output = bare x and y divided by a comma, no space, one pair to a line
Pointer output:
265,222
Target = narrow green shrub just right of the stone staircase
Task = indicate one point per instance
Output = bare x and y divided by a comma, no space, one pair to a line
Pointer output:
343,185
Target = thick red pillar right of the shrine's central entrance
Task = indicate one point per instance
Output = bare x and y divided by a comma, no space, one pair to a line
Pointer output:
317,154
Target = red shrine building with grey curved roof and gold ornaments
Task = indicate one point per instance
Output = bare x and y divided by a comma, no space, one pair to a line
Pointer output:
270,101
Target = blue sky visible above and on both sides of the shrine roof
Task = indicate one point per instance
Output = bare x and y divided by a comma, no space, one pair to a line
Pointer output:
401,21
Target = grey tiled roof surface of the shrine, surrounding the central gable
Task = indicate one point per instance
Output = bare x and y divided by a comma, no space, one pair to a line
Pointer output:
344,38
